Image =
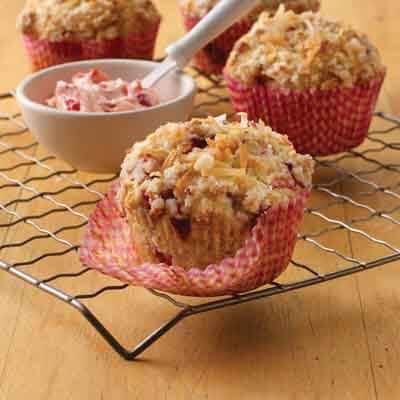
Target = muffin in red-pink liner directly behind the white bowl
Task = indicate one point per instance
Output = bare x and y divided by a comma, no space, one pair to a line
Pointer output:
58,31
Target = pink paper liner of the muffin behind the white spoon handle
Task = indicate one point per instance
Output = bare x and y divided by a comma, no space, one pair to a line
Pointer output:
212,59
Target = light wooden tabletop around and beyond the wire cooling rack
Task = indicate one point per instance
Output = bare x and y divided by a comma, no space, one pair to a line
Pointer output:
333,341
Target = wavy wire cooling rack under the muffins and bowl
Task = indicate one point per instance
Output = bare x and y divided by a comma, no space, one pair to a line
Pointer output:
355,205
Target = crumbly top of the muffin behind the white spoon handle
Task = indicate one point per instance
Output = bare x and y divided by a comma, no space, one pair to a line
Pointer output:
199,8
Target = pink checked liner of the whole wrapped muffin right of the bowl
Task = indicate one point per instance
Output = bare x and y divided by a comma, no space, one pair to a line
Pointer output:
317,122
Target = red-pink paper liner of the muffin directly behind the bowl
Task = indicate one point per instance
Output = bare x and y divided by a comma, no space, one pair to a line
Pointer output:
45,53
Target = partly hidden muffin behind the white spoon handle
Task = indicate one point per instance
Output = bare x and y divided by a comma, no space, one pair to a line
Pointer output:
213,57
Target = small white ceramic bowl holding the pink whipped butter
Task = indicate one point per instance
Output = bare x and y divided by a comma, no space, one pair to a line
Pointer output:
97,142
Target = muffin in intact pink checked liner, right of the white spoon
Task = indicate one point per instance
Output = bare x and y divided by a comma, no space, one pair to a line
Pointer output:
314,79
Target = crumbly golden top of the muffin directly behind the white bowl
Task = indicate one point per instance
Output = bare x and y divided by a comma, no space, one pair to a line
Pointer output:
58,20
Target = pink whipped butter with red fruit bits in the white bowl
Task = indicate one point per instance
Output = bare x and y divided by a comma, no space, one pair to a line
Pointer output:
94,91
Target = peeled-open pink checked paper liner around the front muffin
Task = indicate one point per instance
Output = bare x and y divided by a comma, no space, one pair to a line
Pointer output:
108,247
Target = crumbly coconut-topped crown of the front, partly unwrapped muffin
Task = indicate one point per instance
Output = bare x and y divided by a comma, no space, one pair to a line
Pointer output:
189,169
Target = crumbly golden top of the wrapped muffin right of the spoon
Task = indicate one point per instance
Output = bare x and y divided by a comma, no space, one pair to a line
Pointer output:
300,51
